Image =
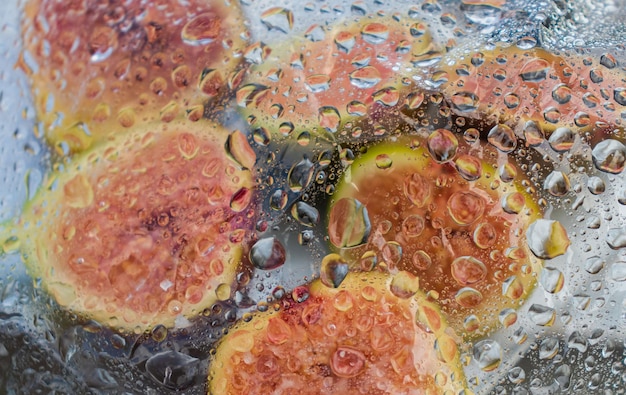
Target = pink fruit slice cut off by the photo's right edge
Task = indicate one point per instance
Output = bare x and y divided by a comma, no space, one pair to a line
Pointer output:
570,91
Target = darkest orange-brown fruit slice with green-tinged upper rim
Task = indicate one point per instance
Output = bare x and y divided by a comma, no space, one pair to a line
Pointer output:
446,217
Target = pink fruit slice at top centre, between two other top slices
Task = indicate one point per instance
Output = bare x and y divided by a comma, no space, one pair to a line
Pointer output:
329,77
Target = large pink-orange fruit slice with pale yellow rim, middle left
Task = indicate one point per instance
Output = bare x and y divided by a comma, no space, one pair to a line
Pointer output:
142,229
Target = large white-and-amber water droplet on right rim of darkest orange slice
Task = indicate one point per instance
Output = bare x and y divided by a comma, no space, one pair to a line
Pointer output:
547,239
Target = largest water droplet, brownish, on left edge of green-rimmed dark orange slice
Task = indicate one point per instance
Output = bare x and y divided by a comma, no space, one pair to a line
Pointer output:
348,224
